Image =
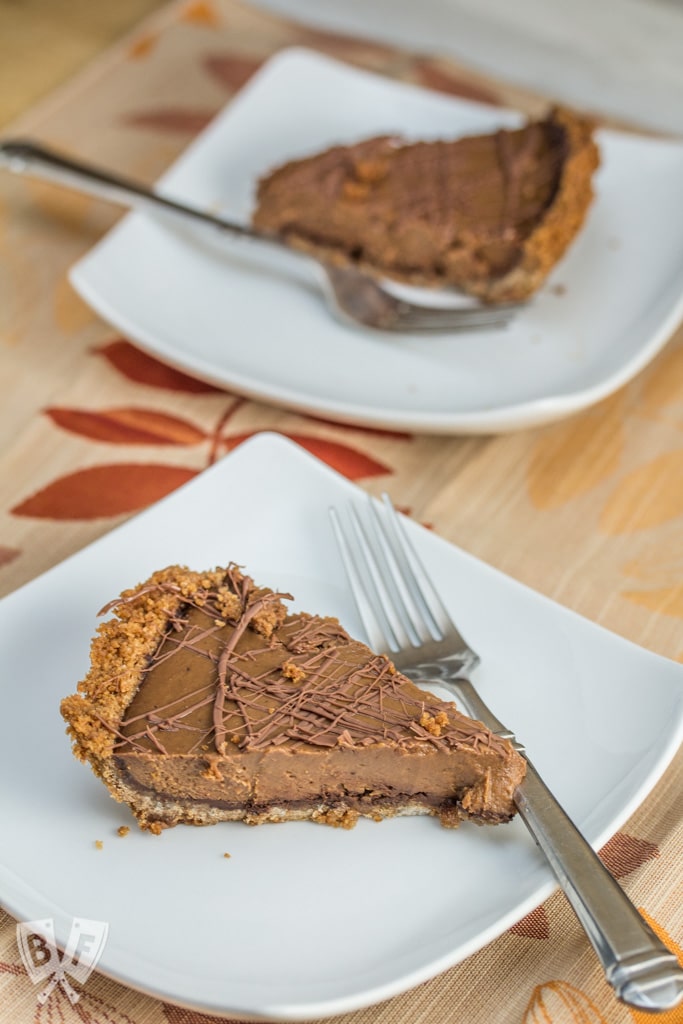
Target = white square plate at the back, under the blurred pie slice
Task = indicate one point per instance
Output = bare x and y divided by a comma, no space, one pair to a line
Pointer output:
224,312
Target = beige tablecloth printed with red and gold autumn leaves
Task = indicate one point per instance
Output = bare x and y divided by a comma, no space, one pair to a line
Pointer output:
588,511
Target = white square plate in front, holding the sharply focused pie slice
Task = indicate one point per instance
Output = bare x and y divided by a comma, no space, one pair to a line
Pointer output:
305,921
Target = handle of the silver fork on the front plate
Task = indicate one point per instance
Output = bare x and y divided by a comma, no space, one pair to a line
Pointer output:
638,966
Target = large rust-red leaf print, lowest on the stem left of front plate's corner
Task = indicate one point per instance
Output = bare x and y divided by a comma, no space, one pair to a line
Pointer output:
104,491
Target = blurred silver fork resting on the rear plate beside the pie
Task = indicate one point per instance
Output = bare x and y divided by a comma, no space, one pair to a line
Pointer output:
353,296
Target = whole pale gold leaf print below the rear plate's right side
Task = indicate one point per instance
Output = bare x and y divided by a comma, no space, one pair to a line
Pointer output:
576,456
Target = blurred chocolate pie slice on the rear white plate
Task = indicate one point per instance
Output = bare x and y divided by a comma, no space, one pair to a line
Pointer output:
488,215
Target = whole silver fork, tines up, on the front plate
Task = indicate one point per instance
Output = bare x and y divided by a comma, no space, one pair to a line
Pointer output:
406,619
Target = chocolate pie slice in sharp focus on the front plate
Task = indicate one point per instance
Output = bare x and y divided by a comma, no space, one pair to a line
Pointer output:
208,702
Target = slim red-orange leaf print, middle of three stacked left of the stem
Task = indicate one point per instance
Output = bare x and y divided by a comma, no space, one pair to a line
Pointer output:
127,426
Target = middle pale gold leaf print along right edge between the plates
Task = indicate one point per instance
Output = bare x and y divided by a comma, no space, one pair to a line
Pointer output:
648,497
